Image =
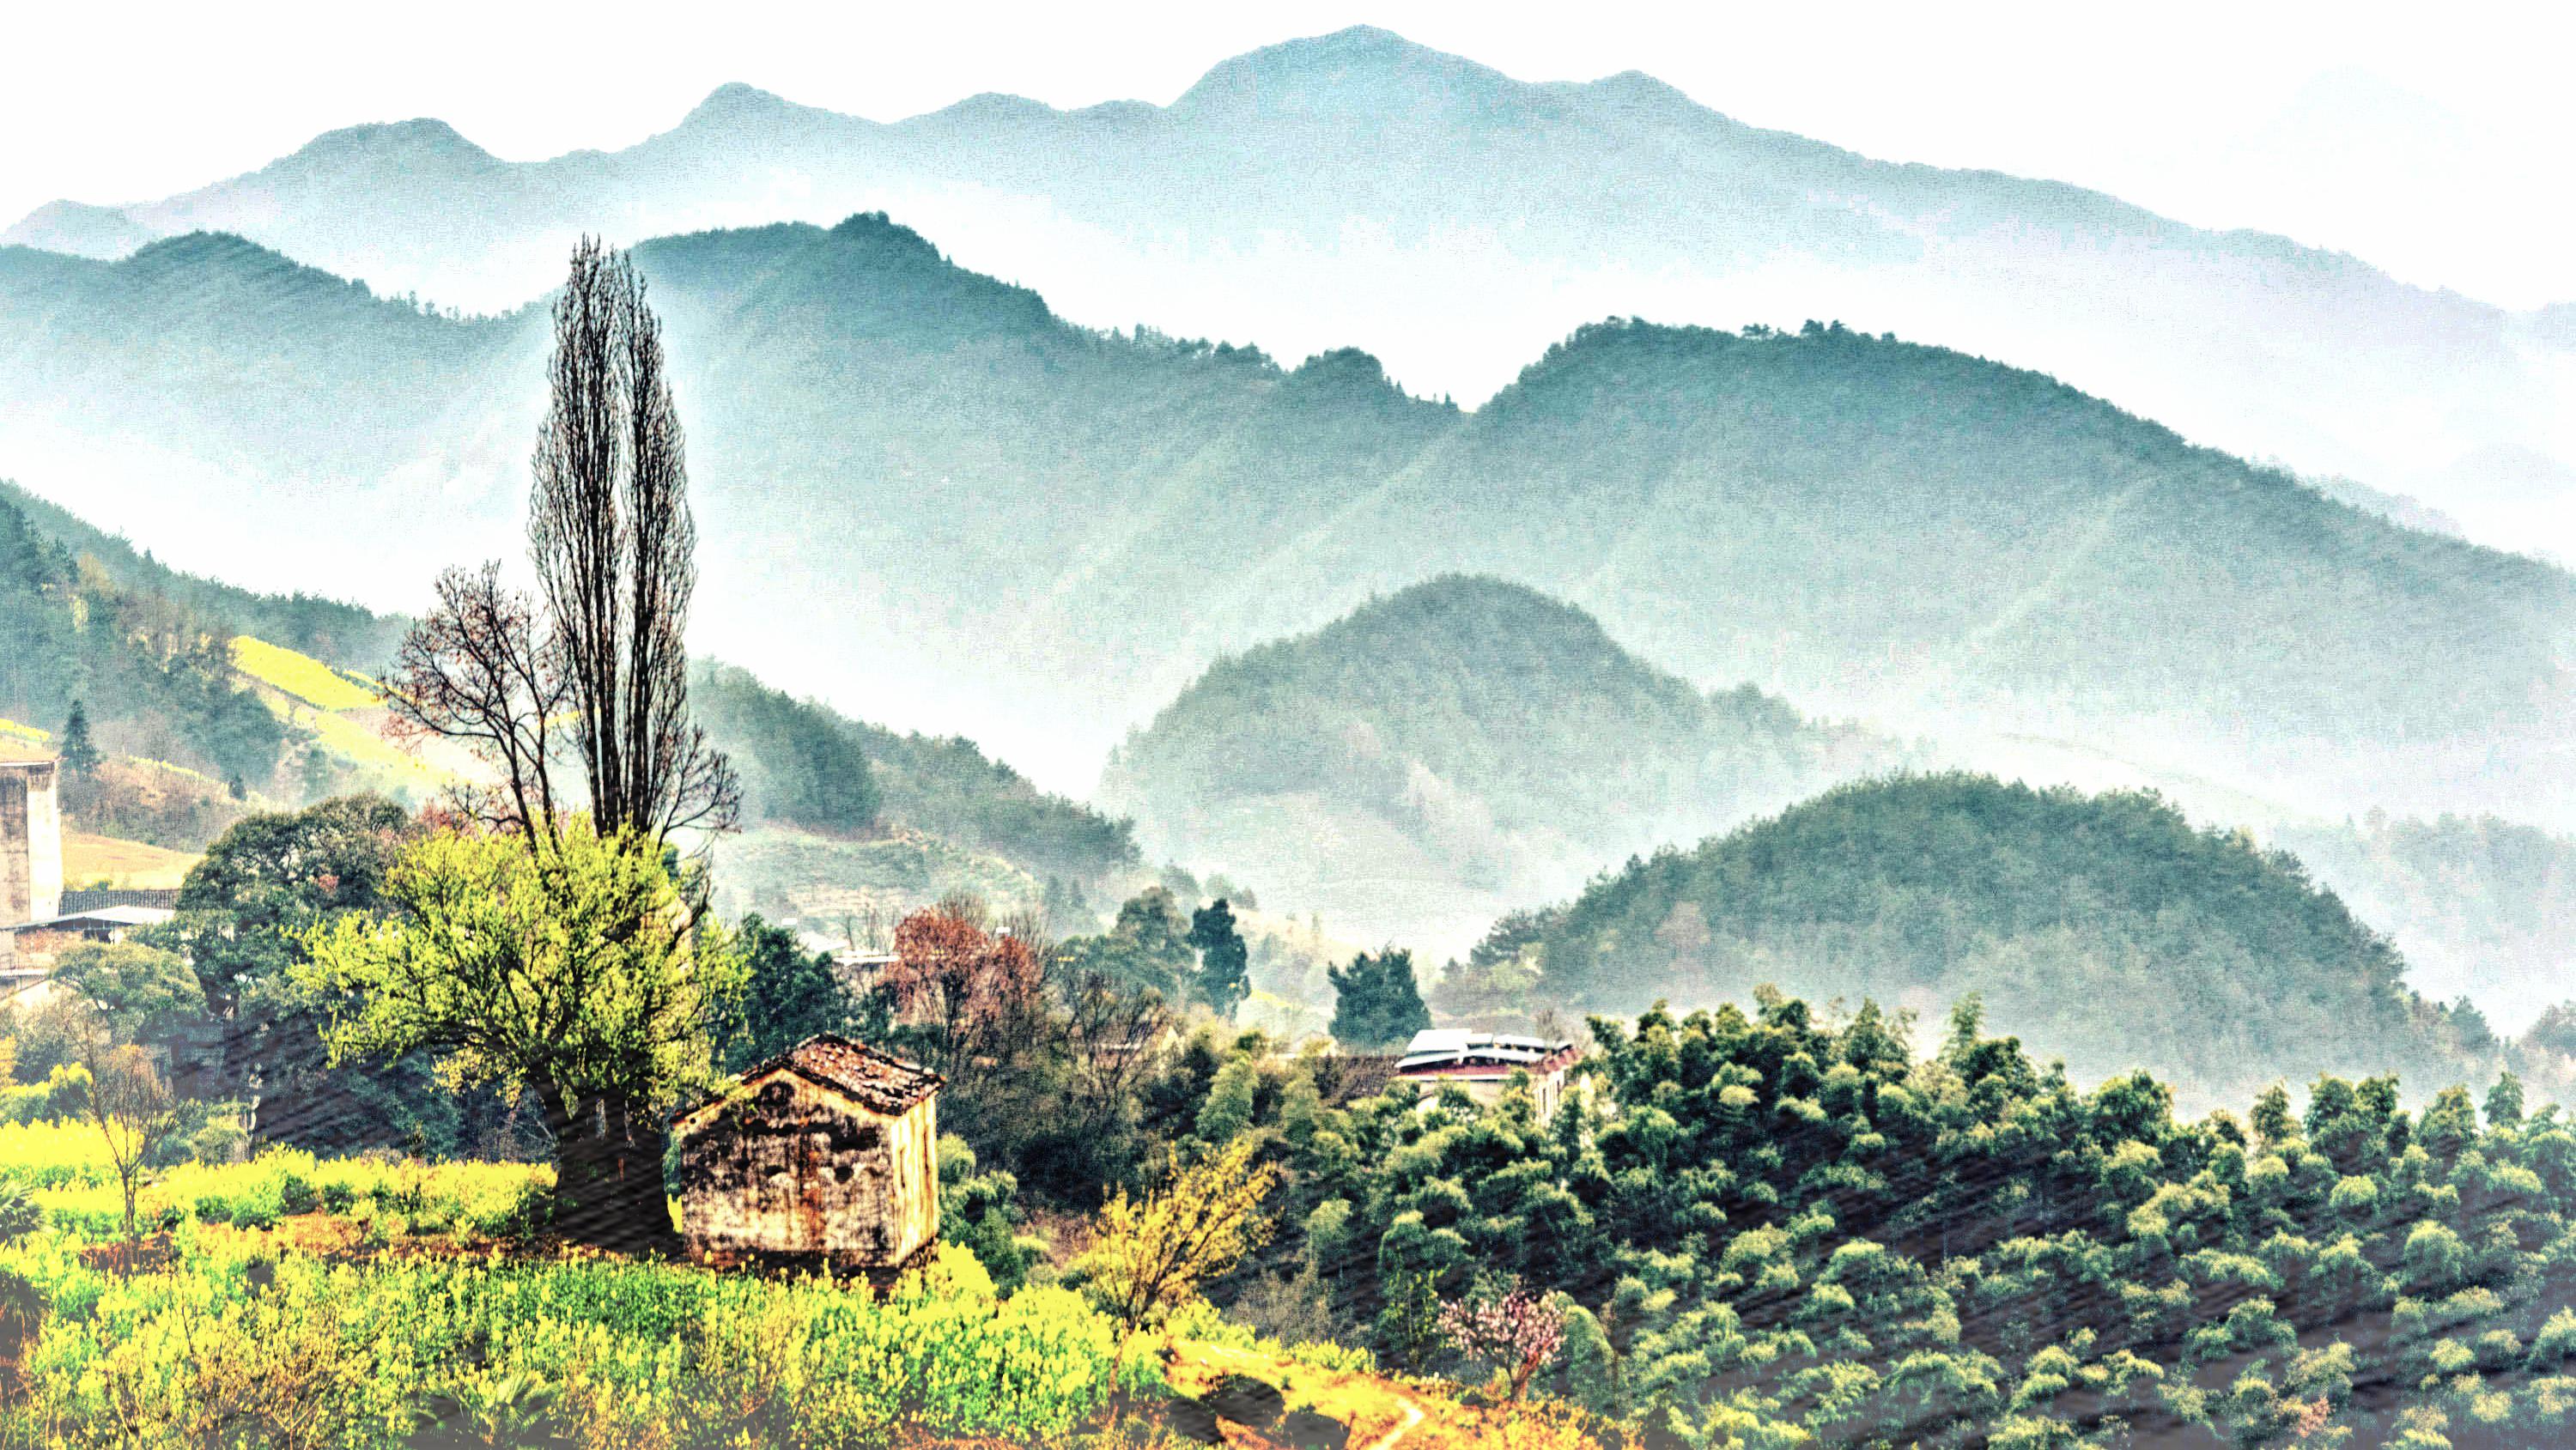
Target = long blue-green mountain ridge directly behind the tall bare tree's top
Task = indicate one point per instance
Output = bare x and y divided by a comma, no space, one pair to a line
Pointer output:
1050,532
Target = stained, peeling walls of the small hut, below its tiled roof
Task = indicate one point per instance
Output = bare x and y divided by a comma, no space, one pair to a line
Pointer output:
795,1171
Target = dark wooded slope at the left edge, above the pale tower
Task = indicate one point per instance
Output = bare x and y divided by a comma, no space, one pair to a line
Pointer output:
153,676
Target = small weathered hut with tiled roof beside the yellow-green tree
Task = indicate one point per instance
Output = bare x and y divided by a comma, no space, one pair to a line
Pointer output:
823,1158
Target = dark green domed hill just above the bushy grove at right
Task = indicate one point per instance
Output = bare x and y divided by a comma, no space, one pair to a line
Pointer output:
2101,928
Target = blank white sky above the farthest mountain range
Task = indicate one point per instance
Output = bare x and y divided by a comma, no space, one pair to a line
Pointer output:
2438,148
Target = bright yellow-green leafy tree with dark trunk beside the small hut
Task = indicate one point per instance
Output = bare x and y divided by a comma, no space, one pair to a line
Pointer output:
571,975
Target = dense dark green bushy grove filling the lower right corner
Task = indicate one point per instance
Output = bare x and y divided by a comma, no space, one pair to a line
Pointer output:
1789,1225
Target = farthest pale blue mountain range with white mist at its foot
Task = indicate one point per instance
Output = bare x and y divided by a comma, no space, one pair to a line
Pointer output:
1356,189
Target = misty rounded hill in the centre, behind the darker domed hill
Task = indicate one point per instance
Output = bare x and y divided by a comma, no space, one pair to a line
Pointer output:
1459,743
